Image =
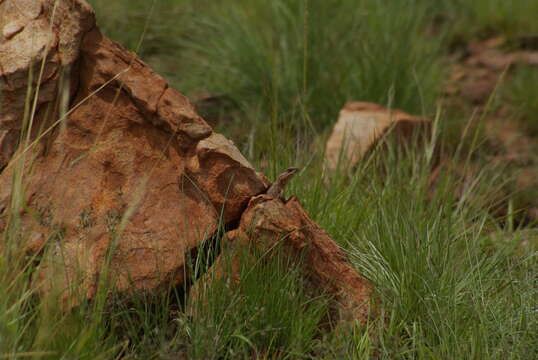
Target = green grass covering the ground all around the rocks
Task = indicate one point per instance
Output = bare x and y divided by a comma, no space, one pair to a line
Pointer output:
453,278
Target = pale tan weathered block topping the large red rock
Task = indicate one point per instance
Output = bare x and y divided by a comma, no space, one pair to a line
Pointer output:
33,34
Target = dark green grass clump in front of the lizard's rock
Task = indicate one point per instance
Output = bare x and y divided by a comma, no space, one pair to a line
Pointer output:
267,314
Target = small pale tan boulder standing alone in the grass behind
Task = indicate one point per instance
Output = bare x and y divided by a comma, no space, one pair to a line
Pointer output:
359,126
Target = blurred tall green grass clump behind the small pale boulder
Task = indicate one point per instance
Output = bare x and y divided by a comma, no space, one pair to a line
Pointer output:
282,64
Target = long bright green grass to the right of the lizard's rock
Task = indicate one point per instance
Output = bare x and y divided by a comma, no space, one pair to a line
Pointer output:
447,288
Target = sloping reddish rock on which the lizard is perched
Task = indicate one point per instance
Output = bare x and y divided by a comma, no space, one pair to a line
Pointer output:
268,222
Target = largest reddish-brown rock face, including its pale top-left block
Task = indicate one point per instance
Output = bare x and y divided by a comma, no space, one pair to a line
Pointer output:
130,144
